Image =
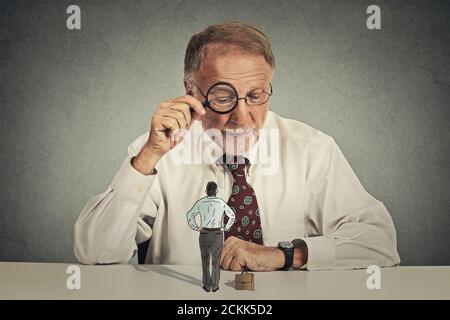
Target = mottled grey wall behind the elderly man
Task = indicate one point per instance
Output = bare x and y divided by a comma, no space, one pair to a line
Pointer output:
72,101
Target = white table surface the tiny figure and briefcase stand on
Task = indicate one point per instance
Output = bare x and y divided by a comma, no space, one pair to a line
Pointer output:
20,280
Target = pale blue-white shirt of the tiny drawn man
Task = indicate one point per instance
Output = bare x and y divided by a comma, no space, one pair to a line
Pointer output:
210,210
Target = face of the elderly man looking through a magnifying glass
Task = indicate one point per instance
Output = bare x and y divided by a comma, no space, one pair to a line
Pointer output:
246,73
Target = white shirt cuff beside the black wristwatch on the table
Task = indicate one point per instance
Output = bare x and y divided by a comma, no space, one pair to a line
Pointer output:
321,254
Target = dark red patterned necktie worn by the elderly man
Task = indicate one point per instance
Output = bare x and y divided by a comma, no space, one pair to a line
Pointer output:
244,204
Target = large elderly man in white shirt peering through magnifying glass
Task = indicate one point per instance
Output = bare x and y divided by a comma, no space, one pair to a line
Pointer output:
301,206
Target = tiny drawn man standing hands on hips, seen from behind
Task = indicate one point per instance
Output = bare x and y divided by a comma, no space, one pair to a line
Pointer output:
211,210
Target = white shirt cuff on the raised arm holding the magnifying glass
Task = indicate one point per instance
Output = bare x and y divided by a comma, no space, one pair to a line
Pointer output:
129,183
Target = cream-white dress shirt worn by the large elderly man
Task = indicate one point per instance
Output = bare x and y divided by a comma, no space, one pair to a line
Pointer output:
308,191
